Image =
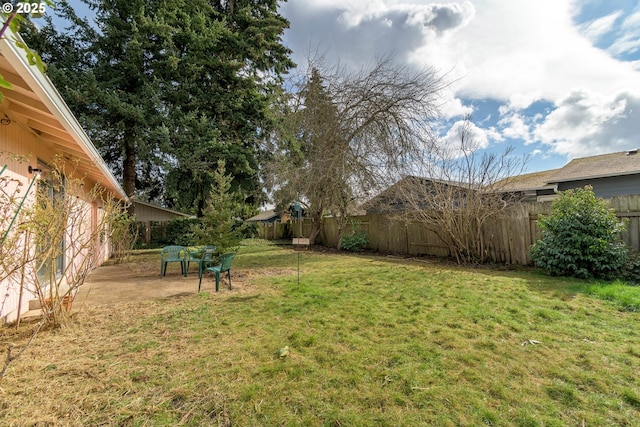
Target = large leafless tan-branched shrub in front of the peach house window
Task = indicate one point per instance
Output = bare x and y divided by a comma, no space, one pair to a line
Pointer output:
59,237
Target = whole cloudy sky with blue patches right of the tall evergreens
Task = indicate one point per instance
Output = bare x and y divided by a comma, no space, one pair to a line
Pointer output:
557,79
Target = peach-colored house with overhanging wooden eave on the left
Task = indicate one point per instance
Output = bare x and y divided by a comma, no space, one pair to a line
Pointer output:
36,125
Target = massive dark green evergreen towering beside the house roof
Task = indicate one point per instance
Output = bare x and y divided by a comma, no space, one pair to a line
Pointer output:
168,88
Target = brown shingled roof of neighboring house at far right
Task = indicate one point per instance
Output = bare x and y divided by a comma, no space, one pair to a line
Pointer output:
602,166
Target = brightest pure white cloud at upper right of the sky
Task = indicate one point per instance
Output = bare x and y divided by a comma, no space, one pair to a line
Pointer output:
524,51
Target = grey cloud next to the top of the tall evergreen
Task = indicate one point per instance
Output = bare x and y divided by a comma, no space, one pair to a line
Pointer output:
357,31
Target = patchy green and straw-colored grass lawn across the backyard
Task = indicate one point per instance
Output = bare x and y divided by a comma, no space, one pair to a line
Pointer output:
372,341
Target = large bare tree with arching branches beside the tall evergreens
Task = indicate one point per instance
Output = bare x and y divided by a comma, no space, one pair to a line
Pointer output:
348,134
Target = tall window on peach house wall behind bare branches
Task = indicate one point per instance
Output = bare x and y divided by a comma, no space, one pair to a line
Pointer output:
50,253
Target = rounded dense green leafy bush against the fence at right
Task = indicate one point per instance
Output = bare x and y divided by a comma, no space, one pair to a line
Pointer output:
580,237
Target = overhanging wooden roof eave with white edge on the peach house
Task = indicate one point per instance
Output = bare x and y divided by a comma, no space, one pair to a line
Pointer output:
35,104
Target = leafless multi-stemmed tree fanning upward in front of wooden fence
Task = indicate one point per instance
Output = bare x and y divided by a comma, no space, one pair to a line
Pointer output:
457,190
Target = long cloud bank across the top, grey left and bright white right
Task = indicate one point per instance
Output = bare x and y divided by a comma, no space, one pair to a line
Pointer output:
503,49
